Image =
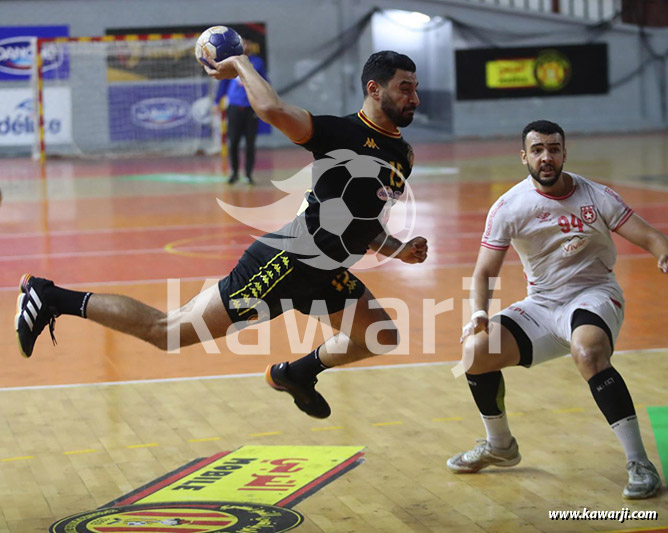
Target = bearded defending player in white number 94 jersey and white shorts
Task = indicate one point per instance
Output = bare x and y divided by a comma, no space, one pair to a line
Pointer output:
560,224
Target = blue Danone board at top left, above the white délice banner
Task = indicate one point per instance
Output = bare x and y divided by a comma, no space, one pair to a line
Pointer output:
16,55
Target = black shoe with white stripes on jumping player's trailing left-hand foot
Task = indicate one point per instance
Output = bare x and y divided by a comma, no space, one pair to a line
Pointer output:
33,313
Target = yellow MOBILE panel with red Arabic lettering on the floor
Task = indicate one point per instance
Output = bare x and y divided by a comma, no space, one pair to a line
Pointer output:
257,474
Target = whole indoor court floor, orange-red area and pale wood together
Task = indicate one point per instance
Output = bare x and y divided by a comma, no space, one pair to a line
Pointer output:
99,415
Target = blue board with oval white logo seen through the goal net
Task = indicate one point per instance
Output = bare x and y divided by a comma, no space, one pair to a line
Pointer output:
153,111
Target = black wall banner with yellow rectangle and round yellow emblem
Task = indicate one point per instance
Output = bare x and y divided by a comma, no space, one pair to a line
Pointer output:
490,73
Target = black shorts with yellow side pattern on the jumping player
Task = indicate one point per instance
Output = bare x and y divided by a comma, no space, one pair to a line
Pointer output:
268,275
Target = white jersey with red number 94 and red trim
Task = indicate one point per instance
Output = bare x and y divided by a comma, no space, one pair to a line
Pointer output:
565,242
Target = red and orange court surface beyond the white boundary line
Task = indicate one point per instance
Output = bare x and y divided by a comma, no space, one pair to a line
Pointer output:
128,226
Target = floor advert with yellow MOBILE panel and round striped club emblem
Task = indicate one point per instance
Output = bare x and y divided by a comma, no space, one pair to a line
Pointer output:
249,490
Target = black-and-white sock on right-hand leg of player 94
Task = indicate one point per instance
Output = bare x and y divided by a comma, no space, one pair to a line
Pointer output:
614,400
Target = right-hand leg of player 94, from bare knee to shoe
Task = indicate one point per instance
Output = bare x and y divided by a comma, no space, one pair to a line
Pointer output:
592,351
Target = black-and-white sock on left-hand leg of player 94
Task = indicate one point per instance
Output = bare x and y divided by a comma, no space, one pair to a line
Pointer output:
488,392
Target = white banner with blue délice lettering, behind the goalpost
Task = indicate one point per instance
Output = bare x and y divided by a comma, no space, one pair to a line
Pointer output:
17,122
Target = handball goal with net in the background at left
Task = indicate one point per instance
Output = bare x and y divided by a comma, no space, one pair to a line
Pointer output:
120,96
